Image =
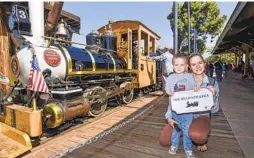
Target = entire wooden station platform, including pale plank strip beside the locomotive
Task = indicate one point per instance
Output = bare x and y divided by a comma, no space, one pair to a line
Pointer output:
232,132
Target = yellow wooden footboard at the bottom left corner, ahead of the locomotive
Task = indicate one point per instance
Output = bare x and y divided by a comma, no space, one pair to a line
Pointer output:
13,142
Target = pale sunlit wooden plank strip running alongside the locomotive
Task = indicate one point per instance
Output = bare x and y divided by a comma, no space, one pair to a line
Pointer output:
74,135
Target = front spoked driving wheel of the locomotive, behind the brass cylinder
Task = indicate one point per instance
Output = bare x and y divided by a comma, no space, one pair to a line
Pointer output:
98,100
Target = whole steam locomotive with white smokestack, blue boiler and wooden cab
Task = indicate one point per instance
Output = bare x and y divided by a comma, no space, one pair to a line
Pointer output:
81,81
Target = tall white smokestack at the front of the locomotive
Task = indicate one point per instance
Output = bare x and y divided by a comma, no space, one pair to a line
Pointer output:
36,13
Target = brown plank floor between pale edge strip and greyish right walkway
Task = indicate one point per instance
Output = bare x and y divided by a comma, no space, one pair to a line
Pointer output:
139,139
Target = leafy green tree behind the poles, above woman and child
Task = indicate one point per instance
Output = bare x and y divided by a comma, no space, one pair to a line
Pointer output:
205,18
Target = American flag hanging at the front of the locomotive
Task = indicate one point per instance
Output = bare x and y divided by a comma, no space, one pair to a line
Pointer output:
37,82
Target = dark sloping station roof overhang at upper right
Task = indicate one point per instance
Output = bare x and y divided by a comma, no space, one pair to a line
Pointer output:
239,29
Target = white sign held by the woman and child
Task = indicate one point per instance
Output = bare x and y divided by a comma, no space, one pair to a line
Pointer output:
190,101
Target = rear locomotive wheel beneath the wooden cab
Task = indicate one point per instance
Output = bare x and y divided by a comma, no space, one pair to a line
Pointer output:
128,94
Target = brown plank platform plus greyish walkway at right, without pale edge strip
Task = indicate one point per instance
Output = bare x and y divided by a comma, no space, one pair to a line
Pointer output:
232,132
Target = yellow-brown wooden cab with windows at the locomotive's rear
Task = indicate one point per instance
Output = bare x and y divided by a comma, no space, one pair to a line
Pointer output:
135,42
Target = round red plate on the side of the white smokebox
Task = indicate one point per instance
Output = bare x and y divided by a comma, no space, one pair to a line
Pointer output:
52,58
